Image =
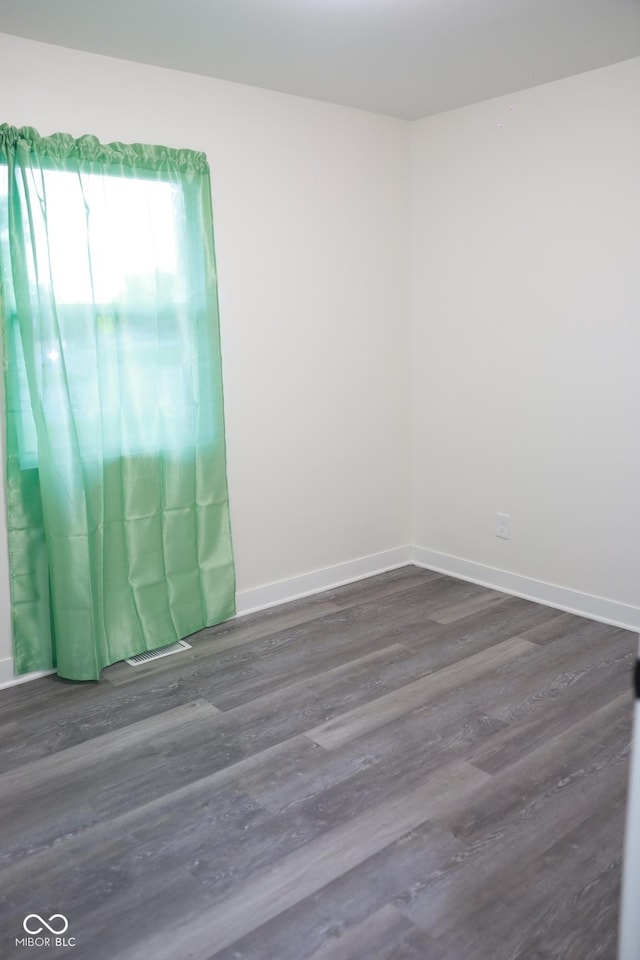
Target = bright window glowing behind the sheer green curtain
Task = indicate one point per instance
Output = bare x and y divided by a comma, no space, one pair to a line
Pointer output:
131,286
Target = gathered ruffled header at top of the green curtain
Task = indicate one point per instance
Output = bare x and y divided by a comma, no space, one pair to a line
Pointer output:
61,147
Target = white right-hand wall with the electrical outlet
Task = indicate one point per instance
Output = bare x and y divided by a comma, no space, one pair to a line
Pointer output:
526,334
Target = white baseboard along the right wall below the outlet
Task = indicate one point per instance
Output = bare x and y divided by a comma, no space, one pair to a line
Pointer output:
562,598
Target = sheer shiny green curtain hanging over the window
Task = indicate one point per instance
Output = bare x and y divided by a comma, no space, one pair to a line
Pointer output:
117,504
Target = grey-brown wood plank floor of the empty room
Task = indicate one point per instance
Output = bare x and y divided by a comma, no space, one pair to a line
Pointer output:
405,768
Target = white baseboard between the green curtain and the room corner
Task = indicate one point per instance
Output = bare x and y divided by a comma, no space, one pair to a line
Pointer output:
248,601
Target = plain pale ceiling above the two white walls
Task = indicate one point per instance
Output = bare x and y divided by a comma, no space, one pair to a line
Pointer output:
405,58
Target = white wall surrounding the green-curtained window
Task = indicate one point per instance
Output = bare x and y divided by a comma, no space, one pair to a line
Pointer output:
311,210
